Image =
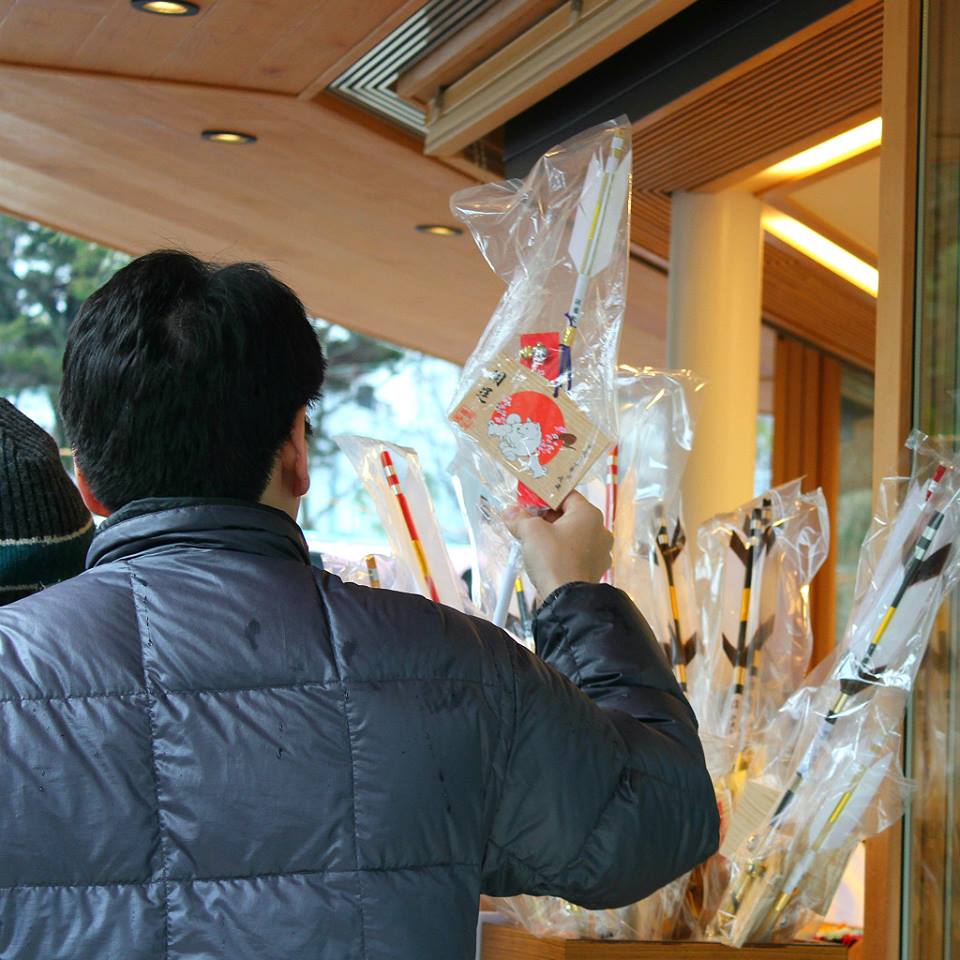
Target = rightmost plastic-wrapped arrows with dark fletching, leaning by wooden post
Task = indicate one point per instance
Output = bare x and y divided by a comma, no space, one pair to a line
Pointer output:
831,775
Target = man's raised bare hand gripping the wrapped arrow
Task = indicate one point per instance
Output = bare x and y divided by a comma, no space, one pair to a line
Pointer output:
564,545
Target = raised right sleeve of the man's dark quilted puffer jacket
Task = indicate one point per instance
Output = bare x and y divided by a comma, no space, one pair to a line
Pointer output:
605,796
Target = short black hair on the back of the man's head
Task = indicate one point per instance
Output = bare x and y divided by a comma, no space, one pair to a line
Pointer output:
182,378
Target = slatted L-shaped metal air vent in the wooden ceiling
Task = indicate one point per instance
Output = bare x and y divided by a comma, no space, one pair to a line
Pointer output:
370,80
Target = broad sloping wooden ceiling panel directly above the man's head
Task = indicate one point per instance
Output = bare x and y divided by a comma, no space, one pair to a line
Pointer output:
322,198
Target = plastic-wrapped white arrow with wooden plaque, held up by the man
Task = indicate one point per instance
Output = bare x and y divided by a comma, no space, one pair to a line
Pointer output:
536,405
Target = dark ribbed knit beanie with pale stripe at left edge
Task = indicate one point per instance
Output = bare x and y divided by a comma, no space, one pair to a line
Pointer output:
45,529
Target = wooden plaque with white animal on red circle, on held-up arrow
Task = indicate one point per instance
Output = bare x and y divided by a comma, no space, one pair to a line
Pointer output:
546,442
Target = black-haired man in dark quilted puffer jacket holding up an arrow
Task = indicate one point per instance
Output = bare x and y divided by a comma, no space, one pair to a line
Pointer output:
212,750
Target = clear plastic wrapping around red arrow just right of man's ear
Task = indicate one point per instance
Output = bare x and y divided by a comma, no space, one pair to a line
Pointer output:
392,476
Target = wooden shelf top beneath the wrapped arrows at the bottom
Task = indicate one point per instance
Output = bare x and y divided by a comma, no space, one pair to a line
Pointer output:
501,942
